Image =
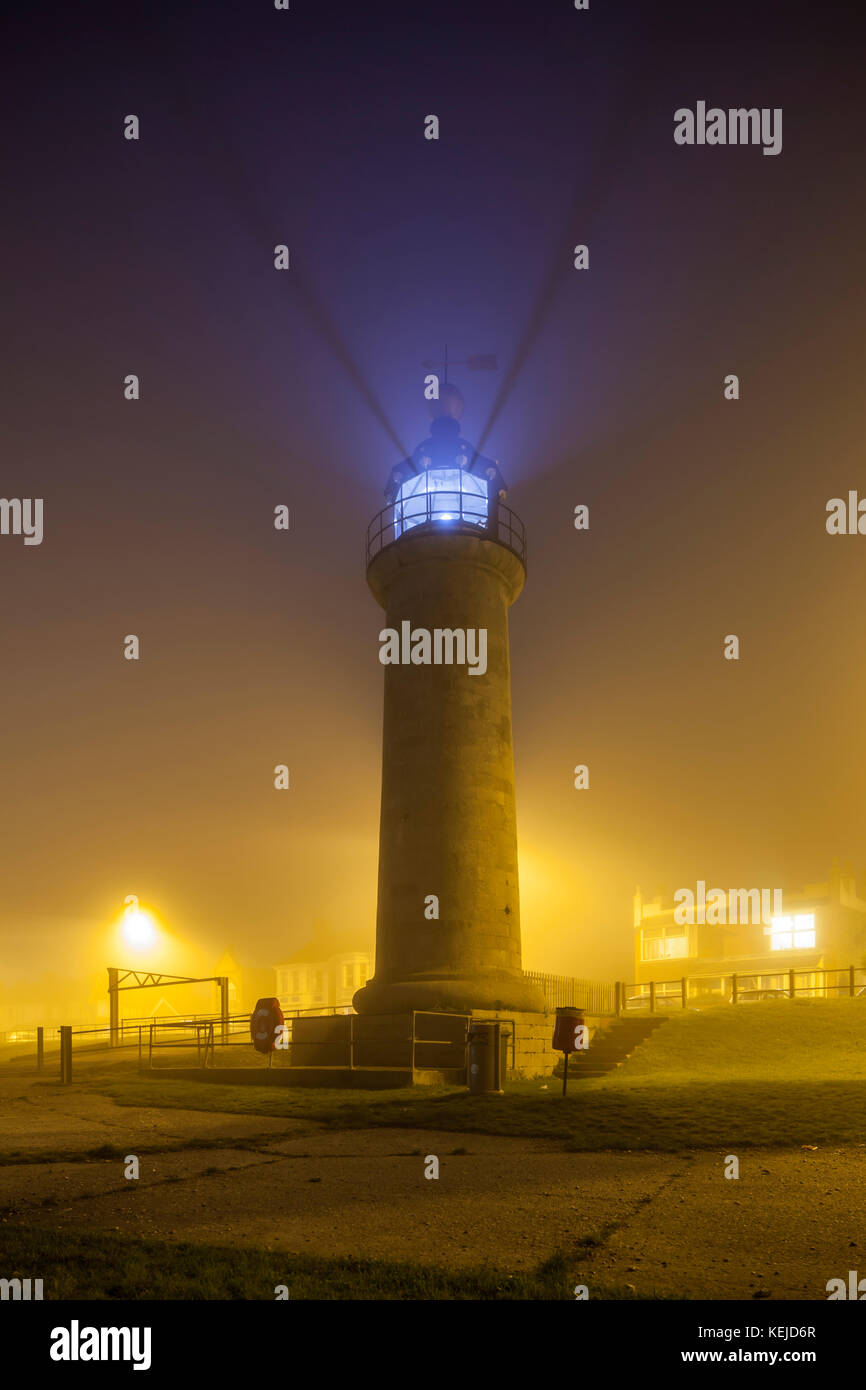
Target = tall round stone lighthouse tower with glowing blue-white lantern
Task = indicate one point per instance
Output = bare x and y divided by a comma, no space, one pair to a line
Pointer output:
446,561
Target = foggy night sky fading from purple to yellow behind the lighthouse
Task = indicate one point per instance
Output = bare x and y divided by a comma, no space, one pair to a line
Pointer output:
262,127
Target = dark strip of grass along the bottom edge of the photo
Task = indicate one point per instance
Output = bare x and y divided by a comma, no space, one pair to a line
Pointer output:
112,1267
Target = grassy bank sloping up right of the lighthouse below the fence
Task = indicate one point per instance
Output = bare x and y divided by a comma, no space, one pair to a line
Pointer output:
774,1074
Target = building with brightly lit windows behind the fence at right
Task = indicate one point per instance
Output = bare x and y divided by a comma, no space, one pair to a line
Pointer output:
819,932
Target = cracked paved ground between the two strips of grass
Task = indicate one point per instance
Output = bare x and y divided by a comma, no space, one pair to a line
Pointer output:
657,1225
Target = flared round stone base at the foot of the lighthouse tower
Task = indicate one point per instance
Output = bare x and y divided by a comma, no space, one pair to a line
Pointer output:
444,993
